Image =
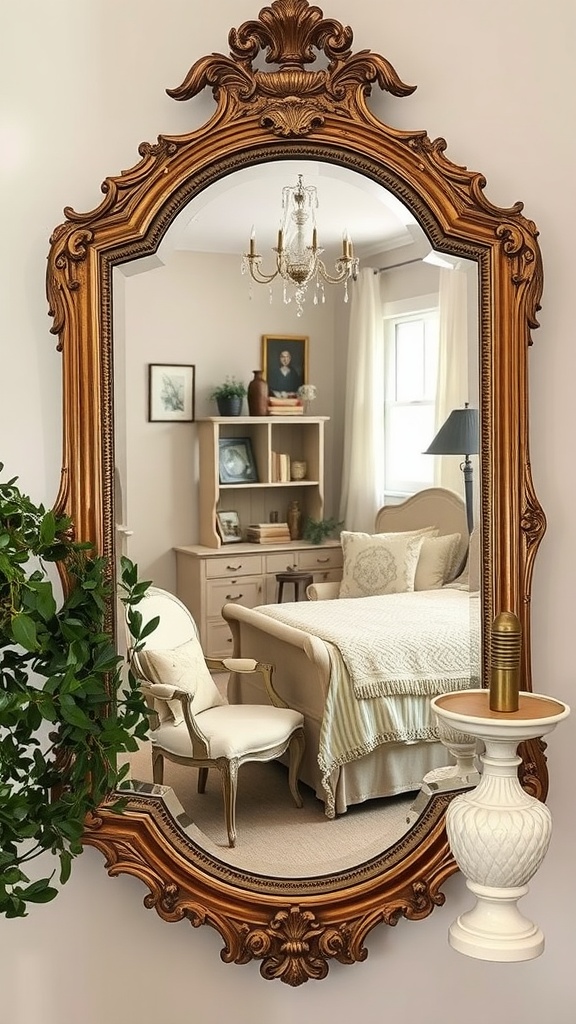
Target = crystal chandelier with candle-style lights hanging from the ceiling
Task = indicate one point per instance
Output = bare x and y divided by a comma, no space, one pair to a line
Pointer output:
298,252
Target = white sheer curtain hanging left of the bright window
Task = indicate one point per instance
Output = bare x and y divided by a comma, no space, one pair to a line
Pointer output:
363,473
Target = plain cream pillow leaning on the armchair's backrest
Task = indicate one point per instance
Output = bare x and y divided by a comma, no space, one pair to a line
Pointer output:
186,668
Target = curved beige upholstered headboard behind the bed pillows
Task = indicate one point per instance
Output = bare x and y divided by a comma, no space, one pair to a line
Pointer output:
433,507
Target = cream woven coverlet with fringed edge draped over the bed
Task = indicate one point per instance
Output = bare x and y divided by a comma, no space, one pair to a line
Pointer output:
389,655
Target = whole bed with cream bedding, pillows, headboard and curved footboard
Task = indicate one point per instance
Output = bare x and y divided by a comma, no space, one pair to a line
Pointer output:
362,667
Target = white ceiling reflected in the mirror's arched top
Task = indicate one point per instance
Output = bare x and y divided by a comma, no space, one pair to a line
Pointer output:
221,220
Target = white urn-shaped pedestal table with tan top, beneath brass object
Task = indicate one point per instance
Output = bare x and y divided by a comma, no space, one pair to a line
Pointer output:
498,833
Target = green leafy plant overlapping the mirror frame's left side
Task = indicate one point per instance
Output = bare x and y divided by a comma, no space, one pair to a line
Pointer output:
60,733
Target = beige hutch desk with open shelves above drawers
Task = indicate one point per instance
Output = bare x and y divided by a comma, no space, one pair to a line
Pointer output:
212,574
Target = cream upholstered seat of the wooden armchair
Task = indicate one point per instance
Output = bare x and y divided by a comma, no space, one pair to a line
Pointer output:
234,732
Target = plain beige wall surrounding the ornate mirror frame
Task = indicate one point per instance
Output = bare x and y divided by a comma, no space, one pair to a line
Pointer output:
85,86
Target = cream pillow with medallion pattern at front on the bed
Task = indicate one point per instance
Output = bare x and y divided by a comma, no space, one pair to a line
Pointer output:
380,564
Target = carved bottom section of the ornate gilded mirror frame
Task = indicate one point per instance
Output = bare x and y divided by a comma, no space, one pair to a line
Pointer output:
294,926
